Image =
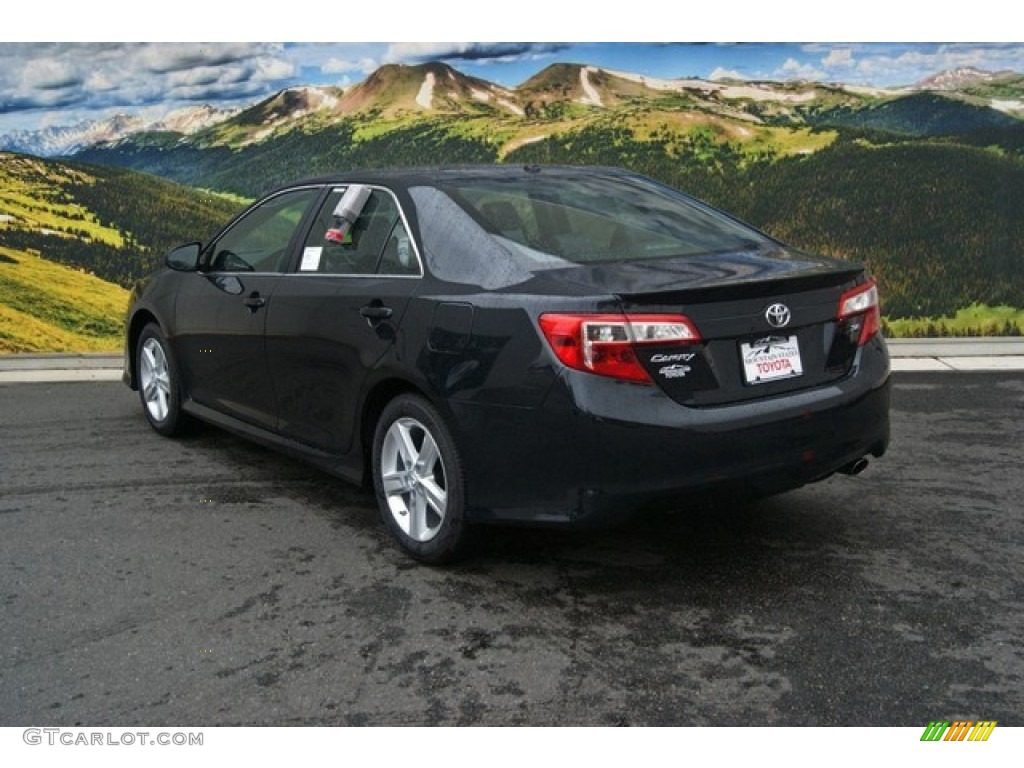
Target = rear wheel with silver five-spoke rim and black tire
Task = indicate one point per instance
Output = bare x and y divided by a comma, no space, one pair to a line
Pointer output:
419,482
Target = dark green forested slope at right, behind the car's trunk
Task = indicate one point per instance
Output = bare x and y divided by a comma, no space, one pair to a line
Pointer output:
941,226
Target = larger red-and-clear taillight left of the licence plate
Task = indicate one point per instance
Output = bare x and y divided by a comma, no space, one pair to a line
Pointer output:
605,345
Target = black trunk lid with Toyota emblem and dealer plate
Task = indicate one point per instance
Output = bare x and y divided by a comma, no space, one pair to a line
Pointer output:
742,355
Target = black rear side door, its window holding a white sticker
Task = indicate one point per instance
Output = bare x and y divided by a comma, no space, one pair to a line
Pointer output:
336,314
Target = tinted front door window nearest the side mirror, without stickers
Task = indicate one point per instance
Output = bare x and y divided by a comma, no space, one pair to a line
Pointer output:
259,243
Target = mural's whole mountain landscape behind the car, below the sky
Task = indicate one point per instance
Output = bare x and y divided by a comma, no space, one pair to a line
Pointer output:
925,184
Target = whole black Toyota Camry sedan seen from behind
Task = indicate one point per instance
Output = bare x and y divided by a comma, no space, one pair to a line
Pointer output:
503,345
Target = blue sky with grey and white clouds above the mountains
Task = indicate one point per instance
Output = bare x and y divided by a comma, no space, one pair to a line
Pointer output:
48,84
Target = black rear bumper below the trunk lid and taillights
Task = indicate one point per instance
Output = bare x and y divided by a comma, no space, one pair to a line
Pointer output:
602,450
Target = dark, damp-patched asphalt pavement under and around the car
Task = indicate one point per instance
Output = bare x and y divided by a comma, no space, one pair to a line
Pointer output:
210,582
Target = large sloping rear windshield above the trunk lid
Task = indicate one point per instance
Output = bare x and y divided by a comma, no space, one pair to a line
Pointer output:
558,221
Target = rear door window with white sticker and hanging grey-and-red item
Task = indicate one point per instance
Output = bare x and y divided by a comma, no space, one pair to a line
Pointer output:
368,239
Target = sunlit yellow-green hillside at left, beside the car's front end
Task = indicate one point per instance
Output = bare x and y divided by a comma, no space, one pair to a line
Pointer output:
73,239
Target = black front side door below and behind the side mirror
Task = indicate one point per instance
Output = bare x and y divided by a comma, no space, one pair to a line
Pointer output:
222,311
